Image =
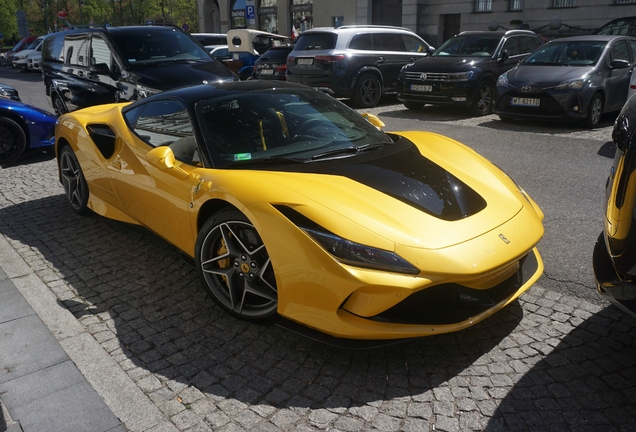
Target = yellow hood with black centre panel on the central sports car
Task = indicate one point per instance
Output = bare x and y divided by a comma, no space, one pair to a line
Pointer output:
386,199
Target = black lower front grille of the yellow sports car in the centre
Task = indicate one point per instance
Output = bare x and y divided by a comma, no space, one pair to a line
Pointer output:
453,303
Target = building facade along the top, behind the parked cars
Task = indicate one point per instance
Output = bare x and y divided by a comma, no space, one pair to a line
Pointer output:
435,20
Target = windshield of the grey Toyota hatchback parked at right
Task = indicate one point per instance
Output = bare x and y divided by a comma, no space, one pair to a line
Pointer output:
567,53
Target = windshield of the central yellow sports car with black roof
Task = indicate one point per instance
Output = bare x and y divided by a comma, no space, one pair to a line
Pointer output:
271,126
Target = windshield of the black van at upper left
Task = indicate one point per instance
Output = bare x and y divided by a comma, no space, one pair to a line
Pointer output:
147,47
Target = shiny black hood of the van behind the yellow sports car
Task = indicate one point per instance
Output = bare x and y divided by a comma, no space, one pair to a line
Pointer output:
169,76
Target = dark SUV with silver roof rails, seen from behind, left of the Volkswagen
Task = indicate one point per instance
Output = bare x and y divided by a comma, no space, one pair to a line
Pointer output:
357,62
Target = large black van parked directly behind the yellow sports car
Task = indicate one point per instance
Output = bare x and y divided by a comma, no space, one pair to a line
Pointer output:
88,67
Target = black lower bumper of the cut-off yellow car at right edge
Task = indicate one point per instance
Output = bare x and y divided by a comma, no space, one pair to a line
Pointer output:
621,293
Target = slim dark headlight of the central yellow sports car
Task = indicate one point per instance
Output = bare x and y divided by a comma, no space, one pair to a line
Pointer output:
360,255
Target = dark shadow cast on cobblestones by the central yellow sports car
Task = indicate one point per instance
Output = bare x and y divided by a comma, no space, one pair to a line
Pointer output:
149,311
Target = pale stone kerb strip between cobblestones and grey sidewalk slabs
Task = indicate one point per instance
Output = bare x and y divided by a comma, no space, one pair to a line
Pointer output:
133,408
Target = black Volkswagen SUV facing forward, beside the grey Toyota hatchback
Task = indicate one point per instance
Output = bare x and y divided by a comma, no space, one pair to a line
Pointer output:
464,70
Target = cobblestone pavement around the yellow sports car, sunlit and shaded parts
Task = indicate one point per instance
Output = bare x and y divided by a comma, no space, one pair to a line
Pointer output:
545,363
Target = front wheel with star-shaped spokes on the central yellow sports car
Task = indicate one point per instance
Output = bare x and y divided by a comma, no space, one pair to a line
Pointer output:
235,267
